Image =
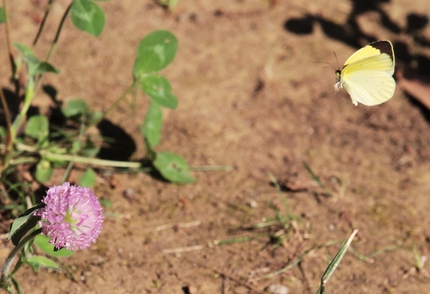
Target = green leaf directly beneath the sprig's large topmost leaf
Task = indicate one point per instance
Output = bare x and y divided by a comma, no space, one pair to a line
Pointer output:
158,88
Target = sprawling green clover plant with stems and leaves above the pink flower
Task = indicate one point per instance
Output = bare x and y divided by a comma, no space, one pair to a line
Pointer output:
45,144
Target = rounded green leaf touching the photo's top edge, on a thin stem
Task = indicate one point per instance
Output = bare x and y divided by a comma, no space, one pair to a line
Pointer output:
87,16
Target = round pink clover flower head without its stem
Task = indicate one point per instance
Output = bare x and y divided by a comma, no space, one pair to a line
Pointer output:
72,216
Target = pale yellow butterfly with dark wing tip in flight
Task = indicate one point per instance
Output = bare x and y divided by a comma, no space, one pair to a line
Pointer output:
368,74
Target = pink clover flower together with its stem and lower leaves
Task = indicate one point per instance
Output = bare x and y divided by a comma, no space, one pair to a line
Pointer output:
69,217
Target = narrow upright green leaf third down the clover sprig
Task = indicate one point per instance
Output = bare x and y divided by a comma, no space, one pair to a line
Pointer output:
151,127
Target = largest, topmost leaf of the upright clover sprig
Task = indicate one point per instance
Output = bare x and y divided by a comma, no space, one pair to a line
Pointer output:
155,52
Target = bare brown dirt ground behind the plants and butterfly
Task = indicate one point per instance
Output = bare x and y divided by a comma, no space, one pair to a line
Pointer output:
254,95
